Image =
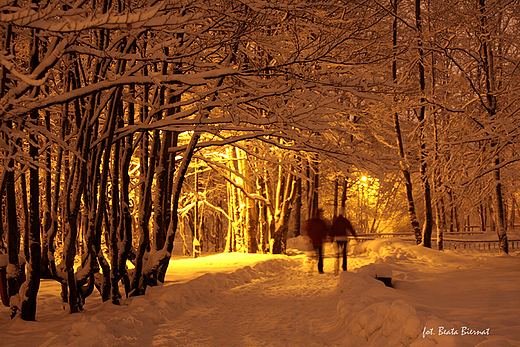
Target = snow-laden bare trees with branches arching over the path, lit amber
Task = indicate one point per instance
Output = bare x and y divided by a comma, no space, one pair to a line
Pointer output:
107,108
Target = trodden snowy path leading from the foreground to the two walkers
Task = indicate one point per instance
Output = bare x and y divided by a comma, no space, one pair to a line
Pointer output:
291,308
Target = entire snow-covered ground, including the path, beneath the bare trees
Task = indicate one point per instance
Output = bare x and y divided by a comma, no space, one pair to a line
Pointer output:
437,299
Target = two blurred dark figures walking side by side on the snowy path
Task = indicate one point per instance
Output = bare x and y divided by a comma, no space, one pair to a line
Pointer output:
318,231
